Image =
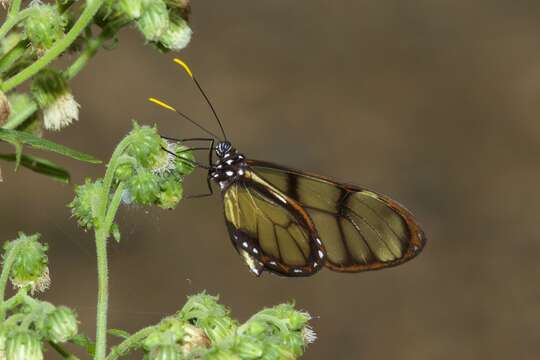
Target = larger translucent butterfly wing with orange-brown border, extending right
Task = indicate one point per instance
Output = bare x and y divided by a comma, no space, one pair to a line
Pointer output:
360,229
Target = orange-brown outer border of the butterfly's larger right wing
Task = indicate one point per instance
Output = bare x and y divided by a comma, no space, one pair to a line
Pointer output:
417,238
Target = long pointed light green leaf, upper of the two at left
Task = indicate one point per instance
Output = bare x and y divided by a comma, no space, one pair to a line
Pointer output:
19,138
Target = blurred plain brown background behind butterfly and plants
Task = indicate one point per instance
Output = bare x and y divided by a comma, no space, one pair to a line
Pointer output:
434,103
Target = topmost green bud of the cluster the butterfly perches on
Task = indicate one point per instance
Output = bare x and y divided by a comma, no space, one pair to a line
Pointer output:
145,145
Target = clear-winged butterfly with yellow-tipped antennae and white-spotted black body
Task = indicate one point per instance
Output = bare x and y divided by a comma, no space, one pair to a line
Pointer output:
293,223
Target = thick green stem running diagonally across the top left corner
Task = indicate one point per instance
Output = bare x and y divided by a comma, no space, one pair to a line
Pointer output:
59,47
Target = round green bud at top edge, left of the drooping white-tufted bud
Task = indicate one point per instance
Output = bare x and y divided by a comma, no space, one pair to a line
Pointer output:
154,20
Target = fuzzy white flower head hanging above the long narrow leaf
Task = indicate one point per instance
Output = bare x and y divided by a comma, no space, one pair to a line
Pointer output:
61,113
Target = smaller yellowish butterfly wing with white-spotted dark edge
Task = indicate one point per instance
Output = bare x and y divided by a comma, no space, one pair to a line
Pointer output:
270,230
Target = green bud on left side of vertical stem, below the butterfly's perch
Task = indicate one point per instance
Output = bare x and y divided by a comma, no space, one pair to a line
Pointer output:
84,206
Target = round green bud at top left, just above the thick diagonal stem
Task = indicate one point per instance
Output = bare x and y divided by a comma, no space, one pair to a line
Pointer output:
44,26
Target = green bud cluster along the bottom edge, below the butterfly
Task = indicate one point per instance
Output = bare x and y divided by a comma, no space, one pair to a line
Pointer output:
203,329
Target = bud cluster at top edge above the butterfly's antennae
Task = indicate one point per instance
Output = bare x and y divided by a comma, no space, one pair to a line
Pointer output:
161,22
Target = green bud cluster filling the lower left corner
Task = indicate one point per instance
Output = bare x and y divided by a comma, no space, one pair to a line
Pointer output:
31,322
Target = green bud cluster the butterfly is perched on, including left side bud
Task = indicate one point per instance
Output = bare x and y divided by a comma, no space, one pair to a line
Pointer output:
150,169
